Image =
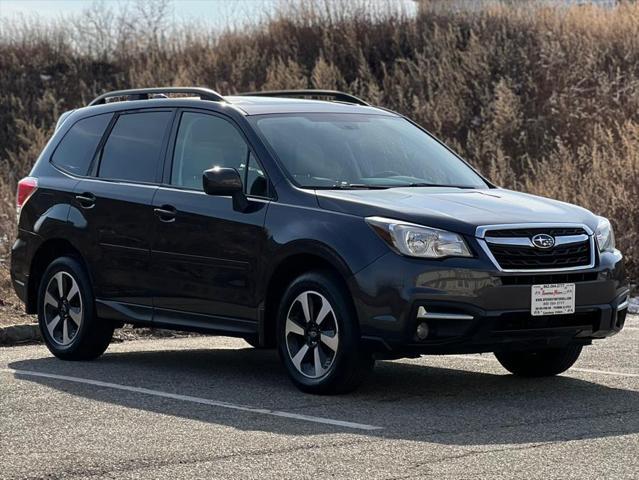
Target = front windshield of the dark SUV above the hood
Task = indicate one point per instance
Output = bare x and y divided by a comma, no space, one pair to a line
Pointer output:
327,150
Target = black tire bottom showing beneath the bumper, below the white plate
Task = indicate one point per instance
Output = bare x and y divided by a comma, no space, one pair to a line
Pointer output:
539,363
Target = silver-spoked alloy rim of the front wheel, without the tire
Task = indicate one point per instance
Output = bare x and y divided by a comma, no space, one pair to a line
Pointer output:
312,334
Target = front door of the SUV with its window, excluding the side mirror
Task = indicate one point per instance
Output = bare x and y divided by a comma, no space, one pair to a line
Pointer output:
205,254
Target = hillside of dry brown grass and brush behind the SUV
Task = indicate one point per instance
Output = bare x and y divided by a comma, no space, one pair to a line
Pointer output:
539,98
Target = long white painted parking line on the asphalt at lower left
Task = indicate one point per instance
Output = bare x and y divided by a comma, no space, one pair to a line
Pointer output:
188,398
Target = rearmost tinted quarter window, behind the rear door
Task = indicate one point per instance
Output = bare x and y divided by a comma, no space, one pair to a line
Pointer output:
76,150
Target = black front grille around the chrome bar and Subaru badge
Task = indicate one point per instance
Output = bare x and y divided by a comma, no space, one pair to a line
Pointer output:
520,257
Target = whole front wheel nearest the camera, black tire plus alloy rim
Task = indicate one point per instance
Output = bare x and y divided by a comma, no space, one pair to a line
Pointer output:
334,360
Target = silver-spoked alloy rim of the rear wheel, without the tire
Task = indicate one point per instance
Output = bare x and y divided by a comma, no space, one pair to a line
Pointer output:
63,311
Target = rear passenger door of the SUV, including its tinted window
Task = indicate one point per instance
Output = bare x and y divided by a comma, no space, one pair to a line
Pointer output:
116,205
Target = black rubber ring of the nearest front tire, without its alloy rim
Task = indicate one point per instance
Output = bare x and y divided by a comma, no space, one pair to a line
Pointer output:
349,343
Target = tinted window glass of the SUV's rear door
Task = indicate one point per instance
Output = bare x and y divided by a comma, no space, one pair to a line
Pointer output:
132,151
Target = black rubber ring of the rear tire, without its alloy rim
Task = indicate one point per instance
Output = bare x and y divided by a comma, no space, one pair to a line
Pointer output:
74,268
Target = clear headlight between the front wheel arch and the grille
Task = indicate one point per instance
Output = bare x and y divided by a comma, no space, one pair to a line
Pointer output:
418,241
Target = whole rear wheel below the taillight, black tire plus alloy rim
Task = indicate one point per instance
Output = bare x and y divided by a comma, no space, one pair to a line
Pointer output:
77,333
